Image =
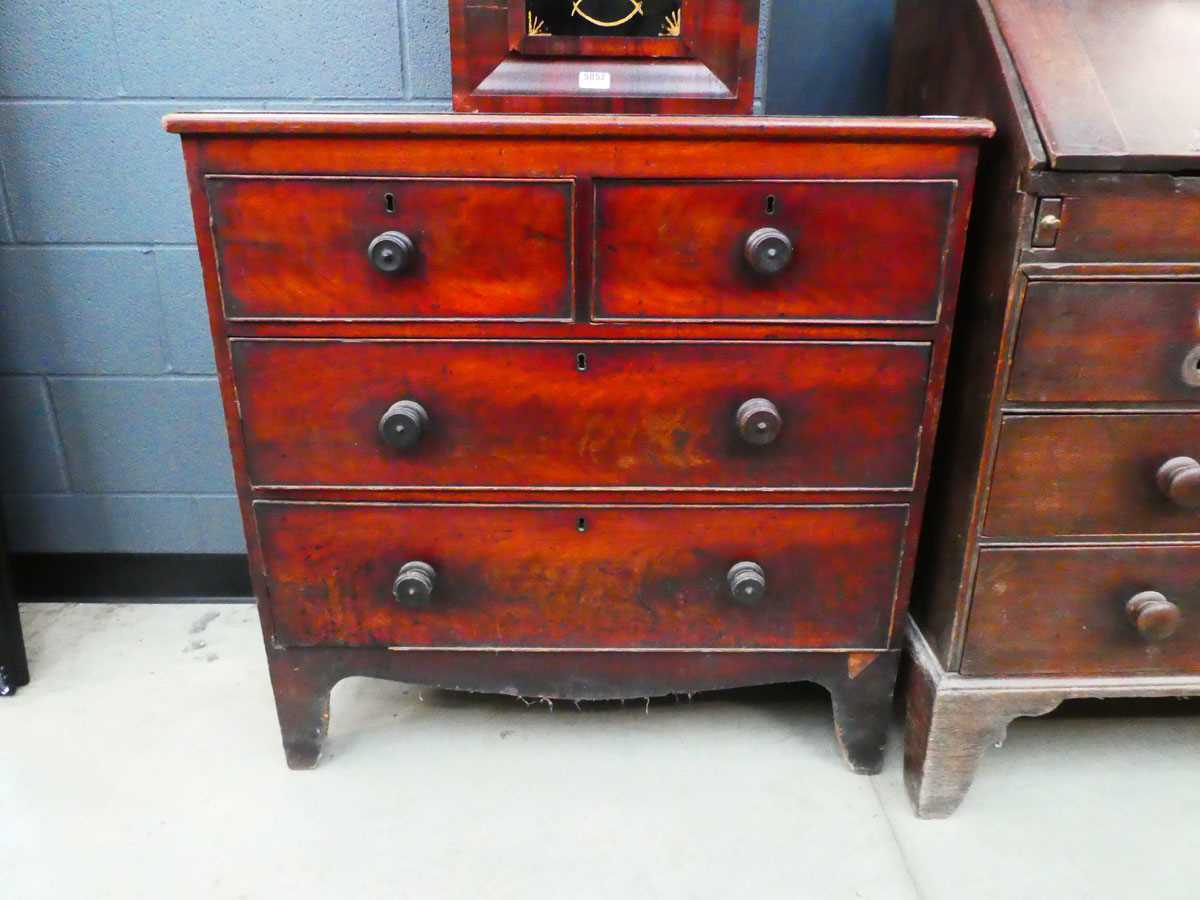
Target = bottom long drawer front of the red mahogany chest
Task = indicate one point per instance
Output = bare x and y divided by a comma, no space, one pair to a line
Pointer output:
581,577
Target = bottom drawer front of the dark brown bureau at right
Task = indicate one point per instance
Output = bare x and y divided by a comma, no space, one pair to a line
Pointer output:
1065,611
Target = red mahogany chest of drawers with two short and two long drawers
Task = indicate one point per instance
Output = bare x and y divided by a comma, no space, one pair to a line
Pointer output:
581,407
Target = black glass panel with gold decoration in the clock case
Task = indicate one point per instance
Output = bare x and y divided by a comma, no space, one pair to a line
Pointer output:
603,19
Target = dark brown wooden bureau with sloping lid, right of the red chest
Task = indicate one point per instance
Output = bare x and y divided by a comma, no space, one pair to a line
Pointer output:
1061,556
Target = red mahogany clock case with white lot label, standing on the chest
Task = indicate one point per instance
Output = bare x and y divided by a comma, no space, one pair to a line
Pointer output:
506,62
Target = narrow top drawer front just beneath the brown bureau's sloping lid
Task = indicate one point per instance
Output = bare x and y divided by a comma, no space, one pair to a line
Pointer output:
1156,221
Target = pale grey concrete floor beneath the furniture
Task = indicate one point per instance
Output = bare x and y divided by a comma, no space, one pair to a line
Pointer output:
145,763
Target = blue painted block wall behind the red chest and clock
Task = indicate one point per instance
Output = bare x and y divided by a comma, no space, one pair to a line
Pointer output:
113,439
